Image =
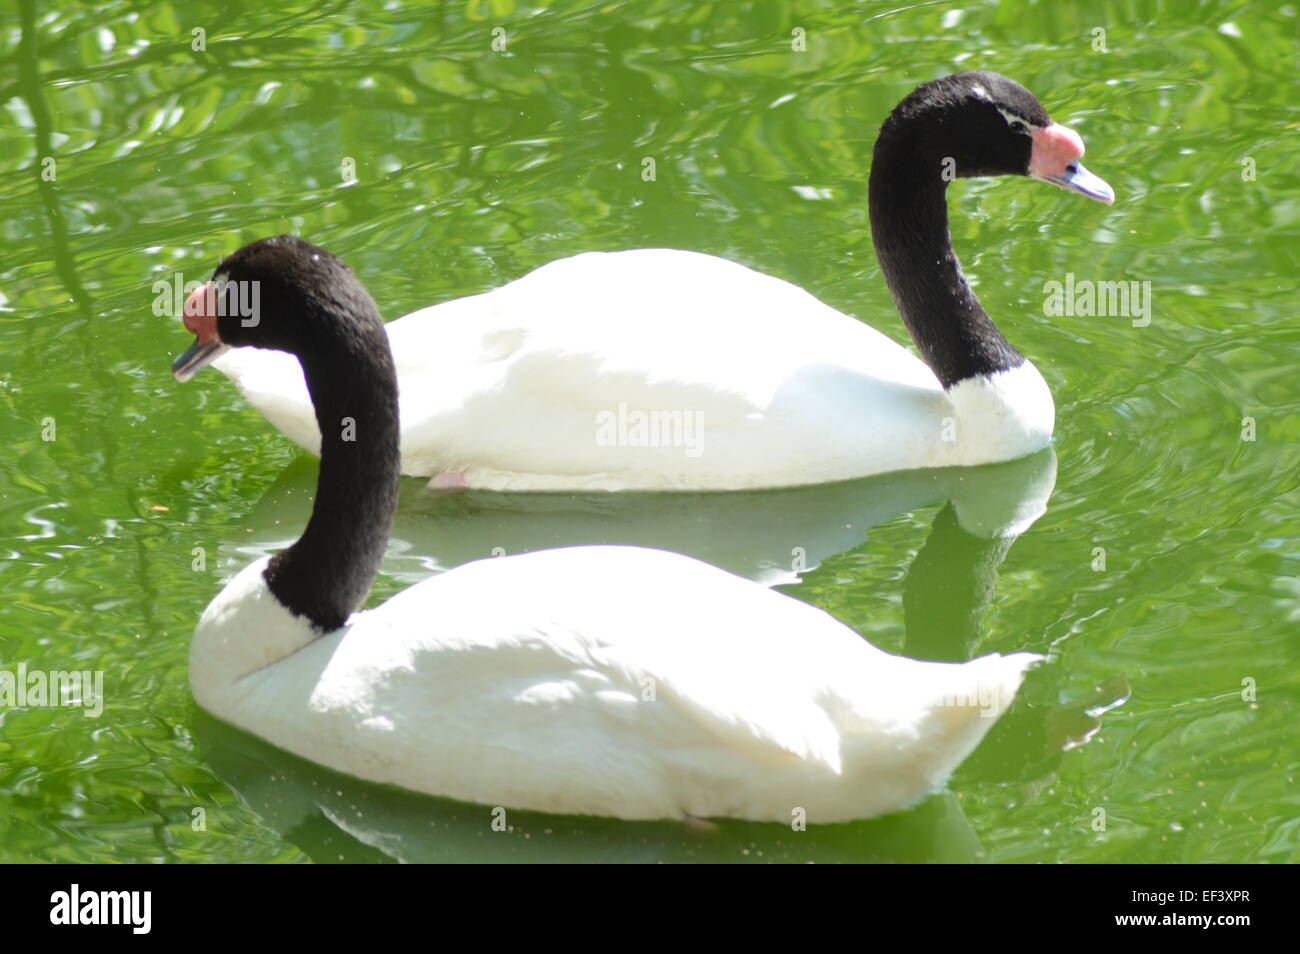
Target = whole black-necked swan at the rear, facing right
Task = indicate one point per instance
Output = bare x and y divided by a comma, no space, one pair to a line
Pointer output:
665,370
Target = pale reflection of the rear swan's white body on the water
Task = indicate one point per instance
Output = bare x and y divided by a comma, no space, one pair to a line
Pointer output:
772,536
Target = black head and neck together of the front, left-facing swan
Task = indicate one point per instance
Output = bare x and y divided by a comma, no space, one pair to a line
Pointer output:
288,294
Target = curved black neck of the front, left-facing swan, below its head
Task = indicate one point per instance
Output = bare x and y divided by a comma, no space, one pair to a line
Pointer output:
349,368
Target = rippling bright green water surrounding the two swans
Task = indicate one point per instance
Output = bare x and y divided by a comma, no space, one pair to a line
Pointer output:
1163,571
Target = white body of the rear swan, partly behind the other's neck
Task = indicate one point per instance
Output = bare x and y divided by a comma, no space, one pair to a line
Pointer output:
662,370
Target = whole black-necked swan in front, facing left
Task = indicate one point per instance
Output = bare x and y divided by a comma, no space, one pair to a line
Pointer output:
608,680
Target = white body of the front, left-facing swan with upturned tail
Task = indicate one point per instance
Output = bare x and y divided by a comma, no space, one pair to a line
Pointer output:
610,682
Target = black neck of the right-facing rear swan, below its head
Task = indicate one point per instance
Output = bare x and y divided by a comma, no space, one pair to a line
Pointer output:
909,228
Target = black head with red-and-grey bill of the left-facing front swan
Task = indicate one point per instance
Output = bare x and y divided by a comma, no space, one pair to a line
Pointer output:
279,293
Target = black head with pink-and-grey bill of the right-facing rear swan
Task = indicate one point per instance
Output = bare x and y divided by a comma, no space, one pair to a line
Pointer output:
981,124
